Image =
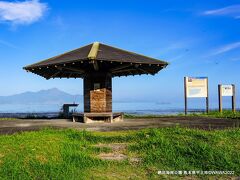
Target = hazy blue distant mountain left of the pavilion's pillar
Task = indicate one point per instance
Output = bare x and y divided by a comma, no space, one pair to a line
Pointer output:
50,96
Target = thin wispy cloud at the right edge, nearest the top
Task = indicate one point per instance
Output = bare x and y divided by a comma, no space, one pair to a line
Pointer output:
233,11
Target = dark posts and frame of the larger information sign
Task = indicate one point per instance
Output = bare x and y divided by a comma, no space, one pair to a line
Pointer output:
185,94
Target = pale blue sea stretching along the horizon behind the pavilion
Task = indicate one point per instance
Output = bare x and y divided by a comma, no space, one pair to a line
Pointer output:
134,108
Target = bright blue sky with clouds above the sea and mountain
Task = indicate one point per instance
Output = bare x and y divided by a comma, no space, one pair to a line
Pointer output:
197,38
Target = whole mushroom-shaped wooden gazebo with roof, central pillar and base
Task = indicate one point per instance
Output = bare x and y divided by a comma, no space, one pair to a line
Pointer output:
97,63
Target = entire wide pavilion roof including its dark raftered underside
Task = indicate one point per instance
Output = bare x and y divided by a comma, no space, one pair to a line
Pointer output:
96,57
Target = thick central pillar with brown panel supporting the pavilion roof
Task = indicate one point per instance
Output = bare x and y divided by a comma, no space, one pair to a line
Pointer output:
98,92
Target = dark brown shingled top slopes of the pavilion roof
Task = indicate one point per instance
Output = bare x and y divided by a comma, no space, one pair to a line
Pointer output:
104,53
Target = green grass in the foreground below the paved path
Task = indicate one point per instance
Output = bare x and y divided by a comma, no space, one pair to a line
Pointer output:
71,154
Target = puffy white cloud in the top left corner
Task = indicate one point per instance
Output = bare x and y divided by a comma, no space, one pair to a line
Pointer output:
25,12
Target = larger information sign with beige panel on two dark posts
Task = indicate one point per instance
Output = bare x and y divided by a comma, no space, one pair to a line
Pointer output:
196,87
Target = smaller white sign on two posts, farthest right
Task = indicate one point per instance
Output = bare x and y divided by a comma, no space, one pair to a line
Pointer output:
226,90
